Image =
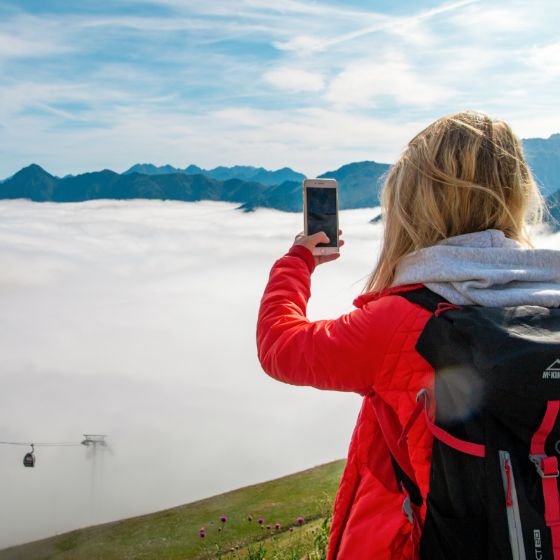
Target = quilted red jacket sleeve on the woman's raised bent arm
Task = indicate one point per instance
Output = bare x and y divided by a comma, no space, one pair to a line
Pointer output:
340,354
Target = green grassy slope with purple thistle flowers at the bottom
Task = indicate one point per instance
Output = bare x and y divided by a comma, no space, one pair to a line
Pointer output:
174,533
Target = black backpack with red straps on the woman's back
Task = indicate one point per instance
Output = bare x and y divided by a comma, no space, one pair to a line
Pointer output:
494,473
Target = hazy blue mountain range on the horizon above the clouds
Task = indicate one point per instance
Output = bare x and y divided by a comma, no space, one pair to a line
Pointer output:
251,187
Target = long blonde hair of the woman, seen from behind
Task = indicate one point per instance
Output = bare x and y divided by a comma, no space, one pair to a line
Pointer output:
463,173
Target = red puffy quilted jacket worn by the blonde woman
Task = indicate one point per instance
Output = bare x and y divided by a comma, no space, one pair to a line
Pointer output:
369,351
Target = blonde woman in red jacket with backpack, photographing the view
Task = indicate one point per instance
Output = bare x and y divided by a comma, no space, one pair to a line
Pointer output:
456,206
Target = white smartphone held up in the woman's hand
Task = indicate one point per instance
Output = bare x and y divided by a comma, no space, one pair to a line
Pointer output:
320,212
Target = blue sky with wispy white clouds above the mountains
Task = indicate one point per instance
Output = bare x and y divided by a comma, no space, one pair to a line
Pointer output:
311,85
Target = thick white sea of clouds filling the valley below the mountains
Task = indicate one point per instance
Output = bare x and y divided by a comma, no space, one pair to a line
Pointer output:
137,320
